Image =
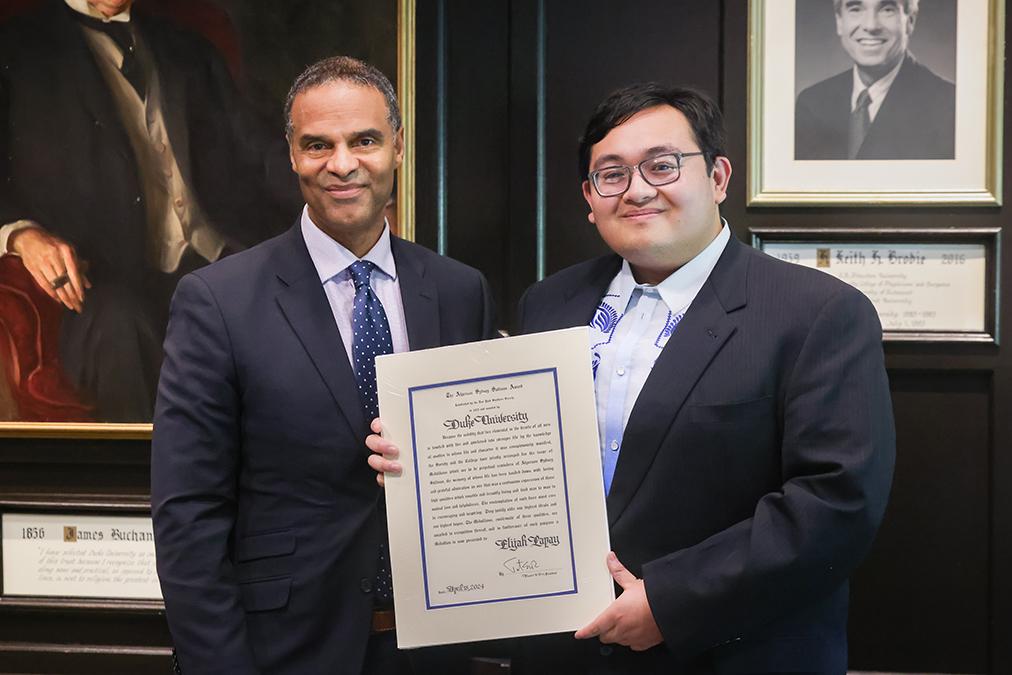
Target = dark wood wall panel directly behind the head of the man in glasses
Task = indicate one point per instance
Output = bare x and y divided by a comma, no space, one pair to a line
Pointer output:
594,48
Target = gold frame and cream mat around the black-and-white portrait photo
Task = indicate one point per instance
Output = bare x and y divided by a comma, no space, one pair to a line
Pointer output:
972,177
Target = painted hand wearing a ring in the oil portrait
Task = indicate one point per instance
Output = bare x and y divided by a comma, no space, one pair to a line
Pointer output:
53,264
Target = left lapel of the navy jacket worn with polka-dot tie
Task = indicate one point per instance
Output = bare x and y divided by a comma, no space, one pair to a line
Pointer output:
305,305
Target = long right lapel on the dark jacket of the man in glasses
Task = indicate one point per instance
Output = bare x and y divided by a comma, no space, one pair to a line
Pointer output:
701,335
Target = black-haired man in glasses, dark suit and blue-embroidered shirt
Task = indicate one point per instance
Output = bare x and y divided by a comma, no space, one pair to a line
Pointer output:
744,415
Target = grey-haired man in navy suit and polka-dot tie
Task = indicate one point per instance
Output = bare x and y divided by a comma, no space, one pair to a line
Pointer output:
269,525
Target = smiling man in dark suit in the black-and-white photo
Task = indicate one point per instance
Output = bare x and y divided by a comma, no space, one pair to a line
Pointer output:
888,107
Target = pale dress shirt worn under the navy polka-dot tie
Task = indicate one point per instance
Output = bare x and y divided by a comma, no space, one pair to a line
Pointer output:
332,262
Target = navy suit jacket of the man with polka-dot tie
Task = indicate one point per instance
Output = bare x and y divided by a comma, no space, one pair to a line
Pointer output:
268,520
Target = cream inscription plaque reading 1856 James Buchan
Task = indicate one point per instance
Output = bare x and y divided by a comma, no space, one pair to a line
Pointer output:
79,556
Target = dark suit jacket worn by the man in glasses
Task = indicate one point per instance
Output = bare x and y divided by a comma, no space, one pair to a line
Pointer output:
754,472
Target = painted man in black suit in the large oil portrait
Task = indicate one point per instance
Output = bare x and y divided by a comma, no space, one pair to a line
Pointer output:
126,149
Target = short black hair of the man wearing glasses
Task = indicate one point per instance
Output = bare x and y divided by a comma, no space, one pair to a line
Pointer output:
703,114
